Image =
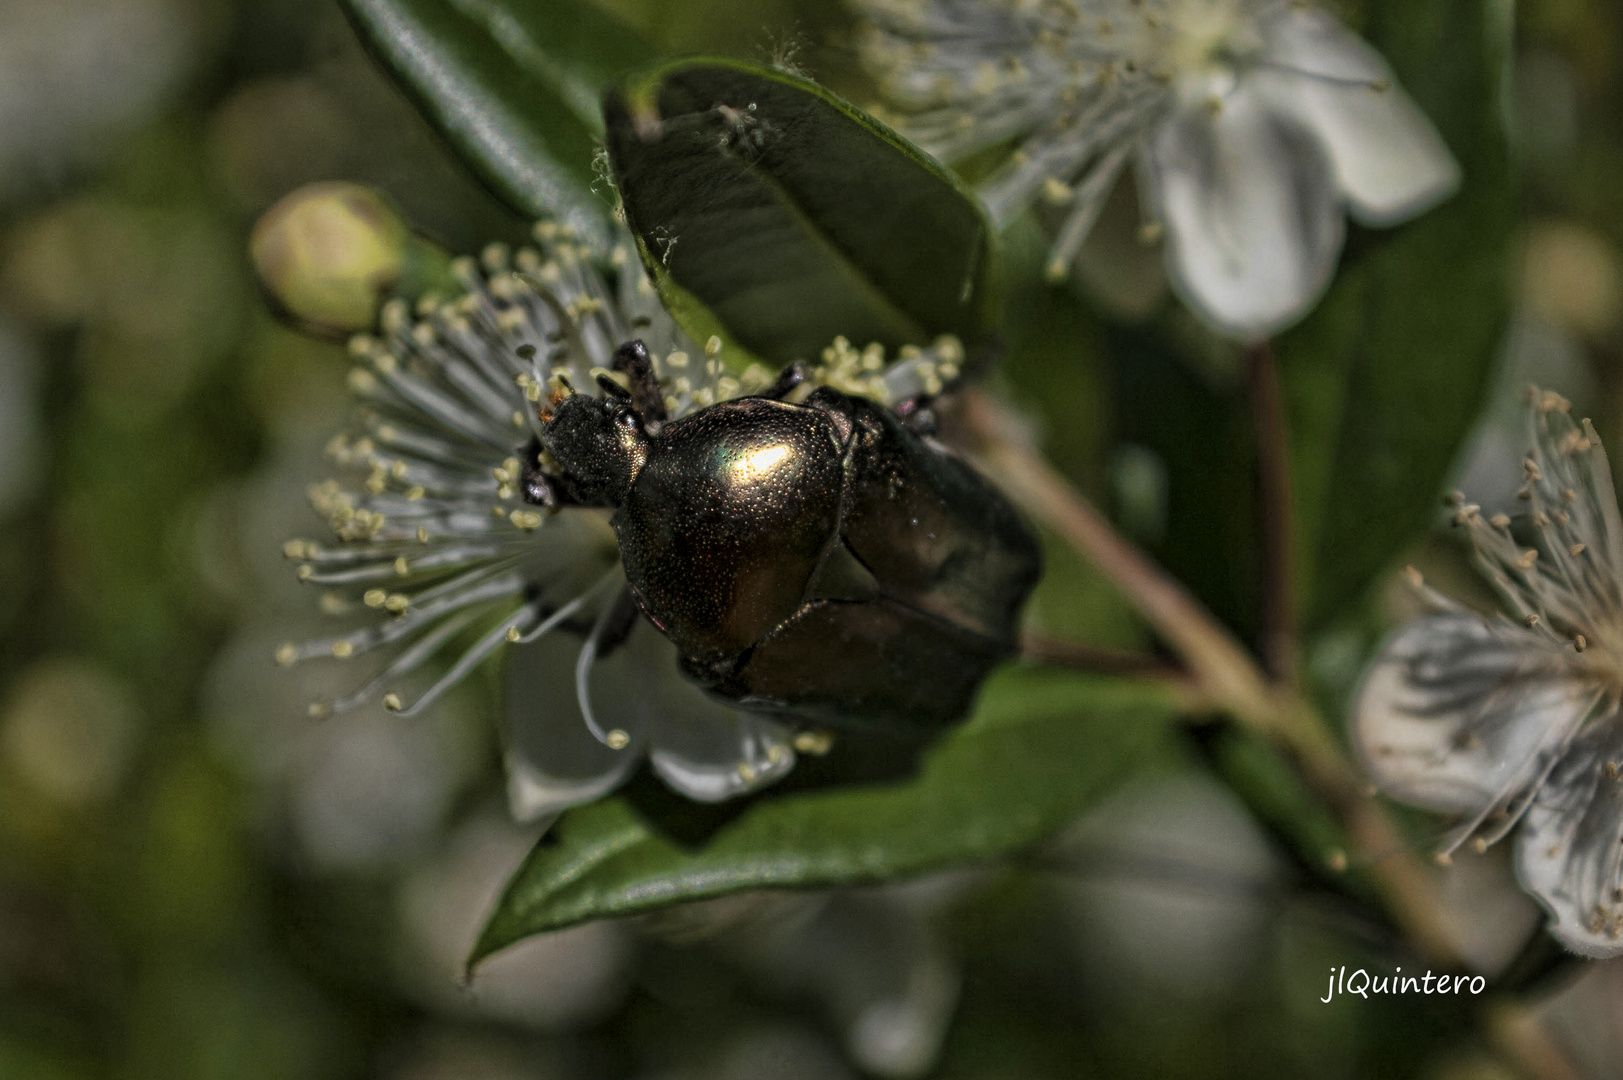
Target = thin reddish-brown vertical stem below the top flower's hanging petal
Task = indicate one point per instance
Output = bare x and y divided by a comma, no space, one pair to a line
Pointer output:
1273,483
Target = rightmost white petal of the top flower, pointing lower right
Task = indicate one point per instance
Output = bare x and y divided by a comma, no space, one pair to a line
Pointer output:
1390,162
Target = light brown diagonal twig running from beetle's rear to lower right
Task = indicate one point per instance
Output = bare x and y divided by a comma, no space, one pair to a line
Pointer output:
1220,667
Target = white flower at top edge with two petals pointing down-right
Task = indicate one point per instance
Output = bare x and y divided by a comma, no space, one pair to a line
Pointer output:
1252,124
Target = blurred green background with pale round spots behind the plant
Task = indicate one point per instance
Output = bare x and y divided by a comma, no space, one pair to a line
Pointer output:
200,883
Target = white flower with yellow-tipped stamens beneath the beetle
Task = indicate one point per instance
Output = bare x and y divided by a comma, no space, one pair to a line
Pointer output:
441,551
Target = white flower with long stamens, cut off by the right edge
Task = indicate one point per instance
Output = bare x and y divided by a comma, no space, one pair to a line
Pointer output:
1515,724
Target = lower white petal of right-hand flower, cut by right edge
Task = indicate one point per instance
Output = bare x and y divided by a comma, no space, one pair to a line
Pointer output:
1572,844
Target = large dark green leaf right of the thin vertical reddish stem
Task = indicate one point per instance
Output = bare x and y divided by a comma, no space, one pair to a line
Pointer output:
1388,376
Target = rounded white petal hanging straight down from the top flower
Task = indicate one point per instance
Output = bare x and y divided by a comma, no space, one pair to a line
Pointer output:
1251,207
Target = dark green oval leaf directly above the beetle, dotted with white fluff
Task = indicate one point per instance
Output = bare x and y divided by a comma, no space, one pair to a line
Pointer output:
793,215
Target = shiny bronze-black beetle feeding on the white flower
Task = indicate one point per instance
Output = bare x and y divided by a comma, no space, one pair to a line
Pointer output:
819,561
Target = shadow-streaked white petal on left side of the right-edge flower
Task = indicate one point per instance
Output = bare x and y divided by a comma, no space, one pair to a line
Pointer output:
1460,714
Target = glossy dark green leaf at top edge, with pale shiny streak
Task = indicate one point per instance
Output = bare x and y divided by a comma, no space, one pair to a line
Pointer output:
512,85
